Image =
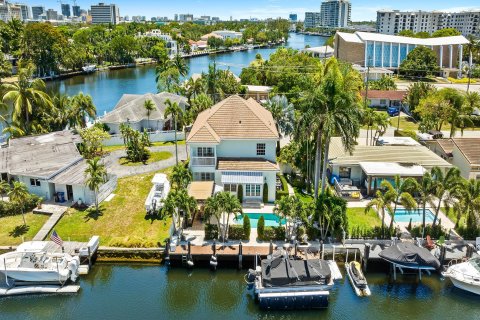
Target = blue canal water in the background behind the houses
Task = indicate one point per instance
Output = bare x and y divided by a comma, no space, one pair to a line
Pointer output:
106,88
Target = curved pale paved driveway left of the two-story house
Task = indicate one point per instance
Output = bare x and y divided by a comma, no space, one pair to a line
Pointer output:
114,167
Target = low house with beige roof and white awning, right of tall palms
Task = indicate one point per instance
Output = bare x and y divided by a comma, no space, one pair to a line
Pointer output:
367,166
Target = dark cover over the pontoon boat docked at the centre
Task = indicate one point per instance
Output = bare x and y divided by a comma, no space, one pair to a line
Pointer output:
281,271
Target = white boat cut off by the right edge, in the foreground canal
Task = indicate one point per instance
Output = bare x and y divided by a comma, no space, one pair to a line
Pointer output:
466,275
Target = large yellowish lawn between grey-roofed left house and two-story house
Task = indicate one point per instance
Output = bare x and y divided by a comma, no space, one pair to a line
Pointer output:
122,221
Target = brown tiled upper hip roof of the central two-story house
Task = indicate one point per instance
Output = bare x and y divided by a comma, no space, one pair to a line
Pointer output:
233,118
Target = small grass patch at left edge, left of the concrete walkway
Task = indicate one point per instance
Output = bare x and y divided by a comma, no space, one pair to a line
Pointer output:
12,228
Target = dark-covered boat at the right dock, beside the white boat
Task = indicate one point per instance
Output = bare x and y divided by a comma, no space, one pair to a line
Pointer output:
408,255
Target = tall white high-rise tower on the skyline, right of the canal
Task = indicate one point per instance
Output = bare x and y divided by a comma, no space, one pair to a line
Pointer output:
336,13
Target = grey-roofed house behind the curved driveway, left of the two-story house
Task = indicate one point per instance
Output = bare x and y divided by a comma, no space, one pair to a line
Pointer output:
131,110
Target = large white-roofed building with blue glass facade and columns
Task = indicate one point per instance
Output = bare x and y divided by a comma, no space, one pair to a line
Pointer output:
388,51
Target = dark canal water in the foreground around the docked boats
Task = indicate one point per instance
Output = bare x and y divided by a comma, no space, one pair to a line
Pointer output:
152,292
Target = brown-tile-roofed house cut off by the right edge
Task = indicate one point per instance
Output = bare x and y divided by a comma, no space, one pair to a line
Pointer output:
463,153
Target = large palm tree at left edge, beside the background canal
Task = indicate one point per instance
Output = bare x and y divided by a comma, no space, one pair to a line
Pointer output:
25,95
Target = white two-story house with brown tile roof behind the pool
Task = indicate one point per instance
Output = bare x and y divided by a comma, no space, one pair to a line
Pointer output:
234,143
